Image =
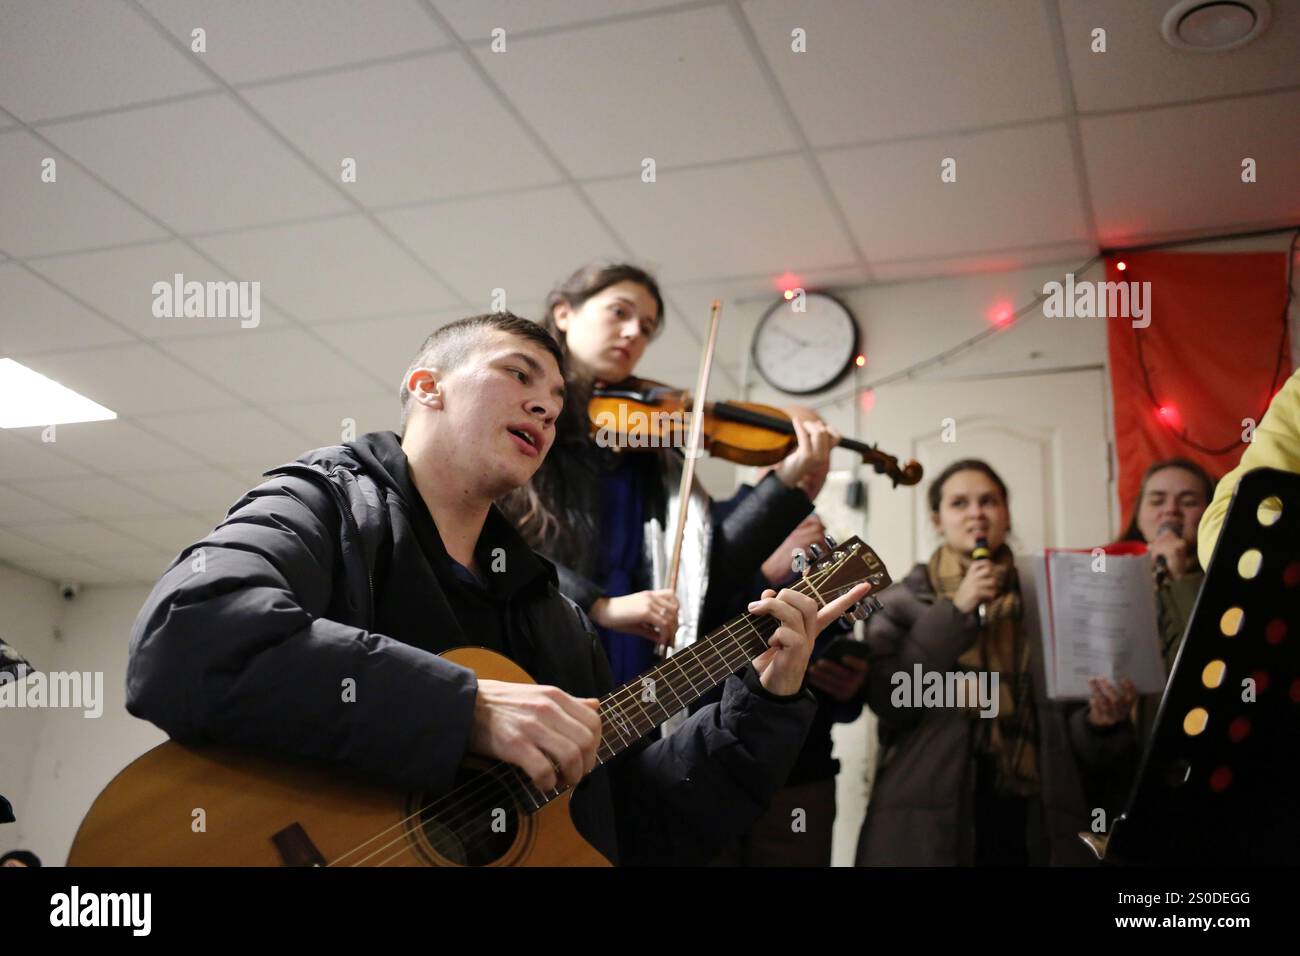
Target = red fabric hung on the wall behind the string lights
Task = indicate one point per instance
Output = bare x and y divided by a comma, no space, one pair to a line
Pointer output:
1211,353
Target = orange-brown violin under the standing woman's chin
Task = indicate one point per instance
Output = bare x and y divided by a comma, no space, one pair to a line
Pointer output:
643,414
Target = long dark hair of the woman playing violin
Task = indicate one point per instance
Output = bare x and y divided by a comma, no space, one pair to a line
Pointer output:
554,512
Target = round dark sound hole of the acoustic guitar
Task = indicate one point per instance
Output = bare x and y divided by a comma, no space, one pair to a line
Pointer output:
475,824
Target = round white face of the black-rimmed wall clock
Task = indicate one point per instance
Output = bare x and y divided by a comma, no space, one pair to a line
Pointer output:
807,352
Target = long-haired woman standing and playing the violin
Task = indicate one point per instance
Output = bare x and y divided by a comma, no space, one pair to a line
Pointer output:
600,513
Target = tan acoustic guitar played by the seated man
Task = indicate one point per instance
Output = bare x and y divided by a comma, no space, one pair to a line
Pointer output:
184,806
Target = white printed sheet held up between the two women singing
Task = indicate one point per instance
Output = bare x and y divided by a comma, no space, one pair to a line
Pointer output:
1098,624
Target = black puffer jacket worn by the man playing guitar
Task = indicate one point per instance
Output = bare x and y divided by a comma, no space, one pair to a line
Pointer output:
249,635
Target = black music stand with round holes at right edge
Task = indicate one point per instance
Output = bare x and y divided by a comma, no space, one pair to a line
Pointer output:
1220,781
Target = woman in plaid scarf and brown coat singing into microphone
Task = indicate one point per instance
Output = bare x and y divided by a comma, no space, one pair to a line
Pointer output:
967,785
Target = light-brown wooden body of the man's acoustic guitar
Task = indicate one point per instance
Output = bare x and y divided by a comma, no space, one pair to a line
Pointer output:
262,812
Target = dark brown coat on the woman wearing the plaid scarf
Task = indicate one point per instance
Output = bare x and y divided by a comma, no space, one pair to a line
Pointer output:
922,806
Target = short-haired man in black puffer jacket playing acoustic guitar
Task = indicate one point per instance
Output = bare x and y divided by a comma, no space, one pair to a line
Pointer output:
309,624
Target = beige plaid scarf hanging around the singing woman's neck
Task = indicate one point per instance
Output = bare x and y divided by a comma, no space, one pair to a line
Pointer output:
1012,738
